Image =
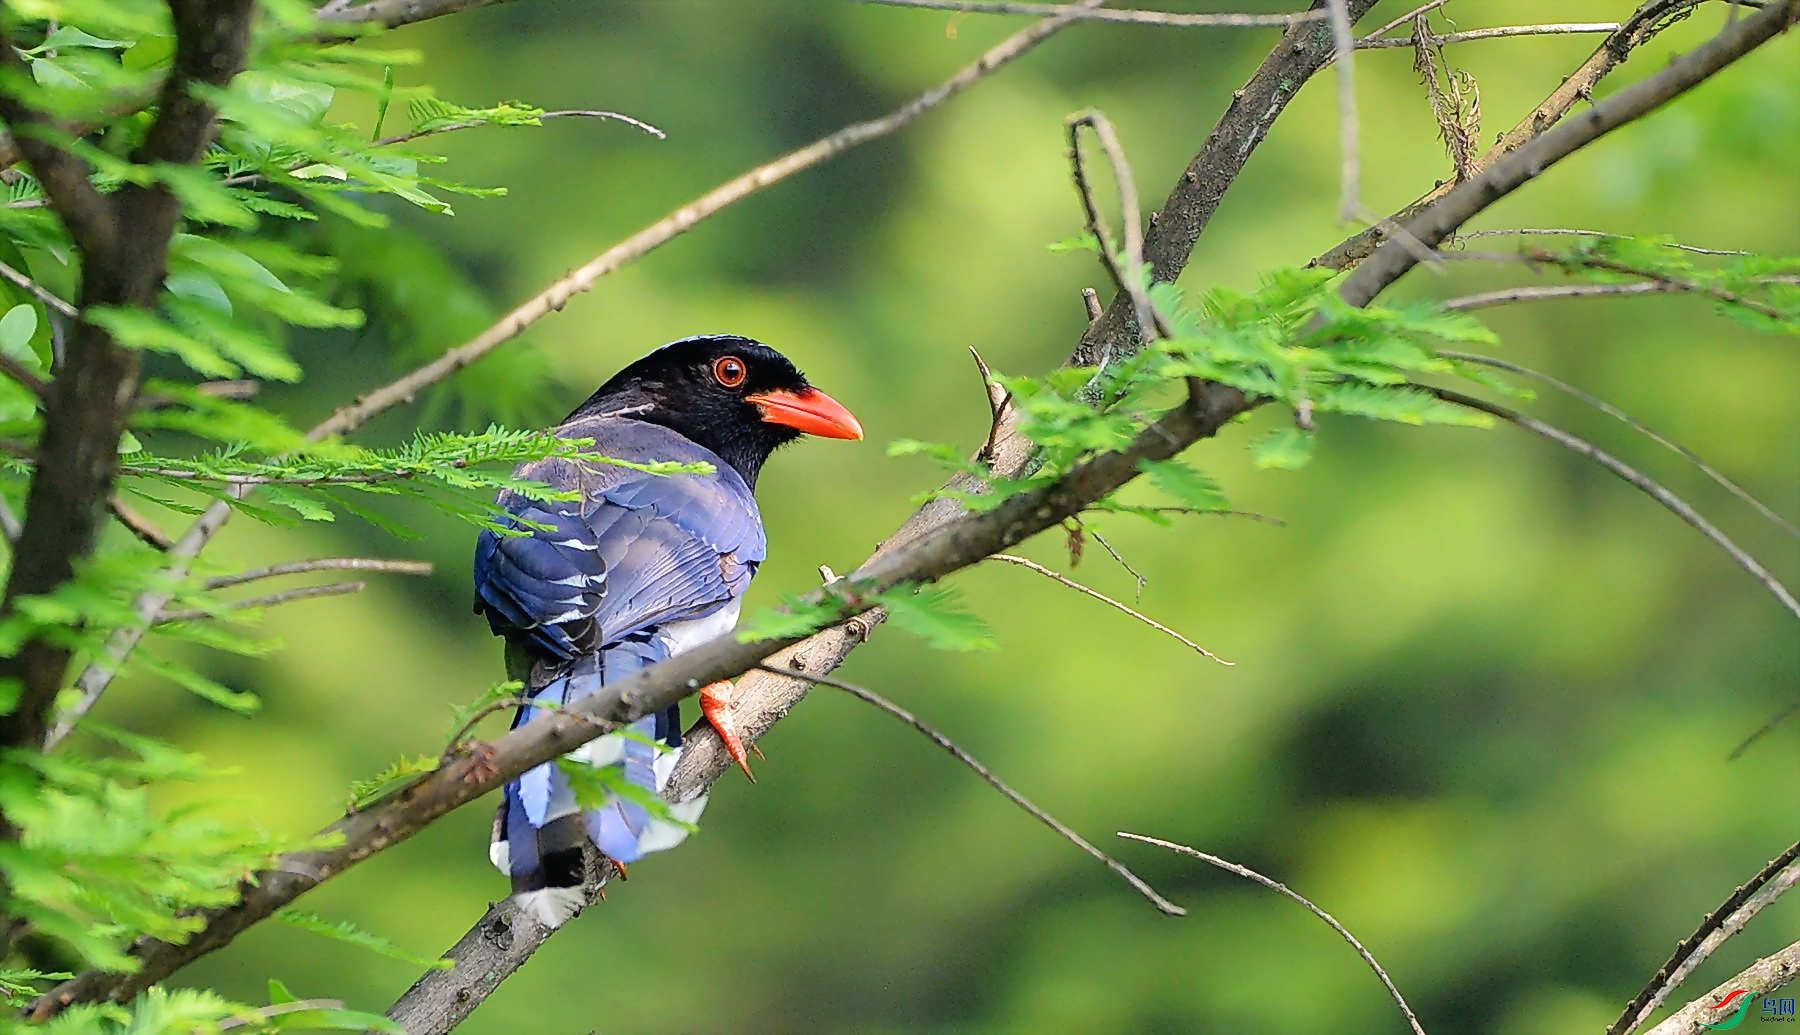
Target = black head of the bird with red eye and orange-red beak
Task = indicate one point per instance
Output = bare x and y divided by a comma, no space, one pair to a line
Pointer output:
735,397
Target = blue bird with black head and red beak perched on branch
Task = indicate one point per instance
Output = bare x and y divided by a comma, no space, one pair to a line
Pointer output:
633,571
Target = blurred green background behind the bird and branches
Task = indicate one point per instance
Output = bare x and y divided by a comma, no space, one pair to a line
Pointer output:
1484,692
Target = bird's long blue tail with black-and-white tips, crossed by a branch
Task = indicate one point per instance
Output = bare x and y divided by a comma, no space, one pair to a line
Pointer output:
543,831
